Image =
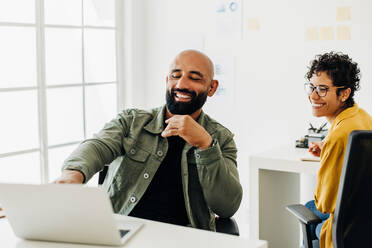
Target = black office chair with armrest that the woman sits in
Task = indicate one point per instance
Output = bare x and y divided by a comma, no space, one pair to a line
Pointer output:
352,220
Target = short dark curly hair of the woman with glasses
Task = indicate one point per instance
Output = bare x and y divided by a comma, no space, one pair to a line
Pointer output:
341,69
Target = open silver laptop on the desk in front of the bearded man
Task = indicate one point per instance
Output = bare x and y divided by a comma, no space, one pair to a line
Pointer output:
64,213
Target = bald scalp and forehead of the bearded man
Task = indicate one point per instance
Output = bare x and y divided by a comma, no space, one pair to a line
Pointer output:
195,61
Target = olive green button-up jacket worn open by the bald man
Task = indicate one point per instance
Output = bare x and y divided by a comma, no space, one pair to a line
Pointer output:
134,148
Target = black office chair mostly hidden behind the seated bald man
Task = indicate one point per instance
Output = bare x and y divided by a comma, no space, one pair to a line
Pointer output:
223,225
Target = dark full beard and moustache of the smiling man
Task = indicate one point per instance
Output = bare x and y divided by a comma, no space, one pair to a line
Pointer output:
185,108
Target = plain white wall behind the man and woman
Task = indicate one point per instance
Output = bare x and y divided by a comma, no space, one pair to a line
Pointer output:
270,107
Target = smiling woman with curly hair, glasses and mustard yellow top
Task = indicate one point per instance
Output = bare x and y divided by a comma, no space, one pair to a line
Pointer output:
333,80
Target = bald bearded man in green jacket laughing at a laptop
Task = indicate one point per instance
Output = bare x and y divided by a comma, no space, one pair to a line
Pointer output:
172,164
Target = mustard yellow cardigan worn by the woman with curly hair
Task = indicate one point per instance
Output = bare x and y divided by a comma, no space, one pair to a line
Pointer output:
332,157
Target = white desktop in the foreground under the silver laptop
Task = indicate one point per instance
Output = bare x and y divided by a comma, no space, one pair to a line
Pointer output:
152,234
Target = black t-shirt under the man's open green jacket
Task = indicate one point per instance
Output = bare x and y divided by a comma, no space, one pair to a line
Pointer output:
163,200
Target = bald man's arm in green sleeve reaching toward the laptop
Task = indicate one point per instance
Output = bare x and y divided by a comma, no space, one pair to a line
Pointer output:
91,155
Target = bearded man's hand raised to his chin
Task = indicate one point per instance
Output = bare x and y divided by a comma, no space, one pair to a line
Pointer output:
187,128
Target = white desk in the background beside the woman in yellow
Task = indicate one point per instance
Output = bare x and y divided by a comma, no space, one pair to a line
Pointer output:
277,178
